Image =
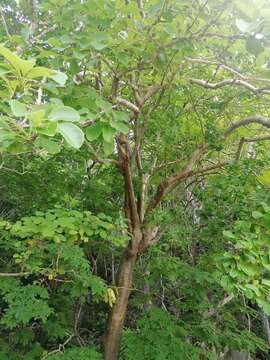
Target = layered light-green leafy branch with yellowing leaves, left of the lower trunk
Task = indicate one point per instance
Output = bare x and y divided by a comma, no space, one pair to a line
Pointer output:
54,243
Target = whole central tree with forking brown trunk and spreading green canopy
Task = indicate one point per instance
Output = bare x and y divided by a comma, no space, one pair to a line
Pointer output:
165,91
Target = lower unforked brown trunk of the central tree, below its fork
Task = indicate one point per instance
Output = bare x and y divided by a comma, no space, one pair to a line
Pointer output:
118,313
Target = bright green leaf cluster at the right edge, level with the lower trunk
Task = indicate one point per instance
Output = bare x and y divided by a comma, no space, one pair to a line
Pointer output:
247,265
